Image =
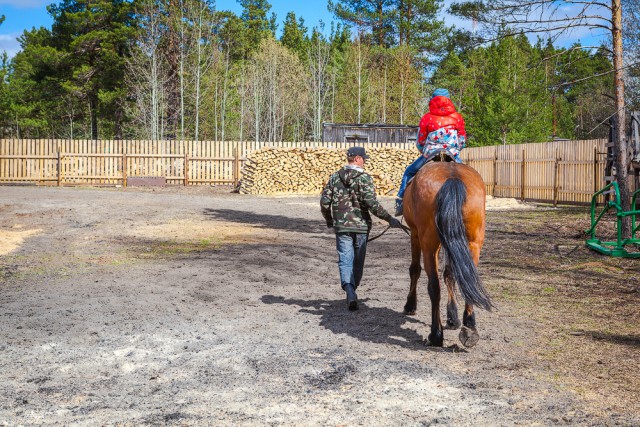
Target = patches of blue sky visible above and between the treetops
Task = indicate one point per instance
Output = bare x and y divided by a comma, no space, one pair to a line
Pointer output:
25,14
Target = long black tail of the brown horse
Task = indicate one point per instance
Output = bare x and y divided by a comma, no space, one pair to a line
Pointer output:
453,236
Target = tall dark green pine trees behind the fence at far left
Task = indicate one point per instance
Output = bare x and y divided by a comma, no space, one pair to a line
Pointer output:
73,72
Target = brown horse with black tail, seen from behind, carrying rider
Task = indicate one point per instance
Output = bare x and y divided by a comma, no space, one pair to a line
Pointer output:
444,206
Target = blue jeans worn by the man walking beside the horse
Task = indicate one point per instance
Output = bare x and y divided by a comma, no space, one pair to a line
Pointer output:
352,248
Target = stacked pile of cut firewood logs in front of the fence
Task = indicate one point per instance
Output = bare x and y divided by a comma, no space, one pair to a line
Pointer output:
306,170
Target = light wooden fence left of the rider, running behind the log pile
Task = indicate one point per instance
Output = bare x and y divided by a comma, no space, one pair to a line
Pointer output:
86,162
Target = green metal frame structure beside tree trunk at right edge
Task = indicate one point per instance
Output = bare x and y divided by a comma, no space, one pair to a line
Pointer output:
617,248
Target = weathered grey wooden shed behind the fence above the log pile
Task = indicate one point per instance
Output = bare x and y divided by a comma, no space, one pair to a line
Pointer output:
371,132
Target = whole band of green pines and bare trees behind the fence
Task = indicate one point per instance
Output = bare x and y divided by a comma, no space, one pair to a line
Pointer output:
139,68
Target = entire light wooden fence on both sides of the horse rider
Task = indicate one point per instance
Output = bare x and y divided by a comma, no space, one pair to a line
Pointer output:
560,171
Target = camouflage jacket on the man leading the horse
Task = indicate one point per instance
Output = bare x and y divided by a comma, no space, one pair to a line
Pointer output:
348,198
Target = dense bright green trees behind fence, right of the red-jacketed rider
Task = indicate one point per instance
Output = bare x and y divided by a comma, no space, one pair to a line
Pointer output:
513,92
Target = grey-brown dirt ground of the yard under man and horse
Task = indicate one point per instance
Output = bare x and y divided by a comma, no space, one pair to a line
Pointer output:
200,307
